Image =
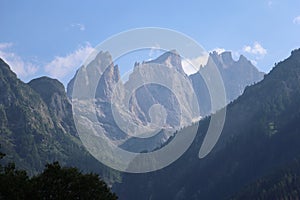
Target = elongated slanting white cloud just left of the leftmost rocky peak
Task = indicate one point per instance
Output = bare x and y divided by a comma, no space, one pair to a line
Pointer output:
62,66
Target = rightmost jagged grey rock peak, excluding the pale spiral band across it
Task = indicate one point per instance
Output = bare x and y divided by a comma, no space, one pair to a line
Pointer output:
236,76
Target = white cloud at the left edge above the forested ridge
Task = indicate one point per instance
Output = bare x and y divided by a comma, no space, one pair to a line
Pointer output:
22,68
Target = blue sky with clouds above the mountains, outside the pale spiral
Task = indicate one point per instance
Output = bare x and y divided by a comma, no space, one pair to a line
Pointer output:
52,37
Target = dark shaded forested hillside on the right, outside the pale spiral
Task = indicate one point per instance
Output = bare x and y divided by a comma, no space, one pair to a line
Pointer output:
261,135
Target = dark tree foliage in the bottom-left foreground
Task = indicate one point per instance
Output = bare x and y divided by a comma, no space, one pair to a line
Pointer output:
55,182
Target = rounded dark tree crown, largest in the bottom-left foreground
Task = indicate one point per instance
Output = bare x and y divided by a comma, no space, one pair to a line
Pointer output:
58,182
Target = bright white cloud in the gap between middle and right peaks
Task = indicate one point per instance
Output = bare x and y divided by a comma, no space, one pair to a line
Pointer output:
192,65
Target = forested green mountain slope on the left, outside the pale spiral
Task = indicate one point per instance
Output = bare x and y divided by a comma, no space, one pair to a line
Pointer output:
35,131
